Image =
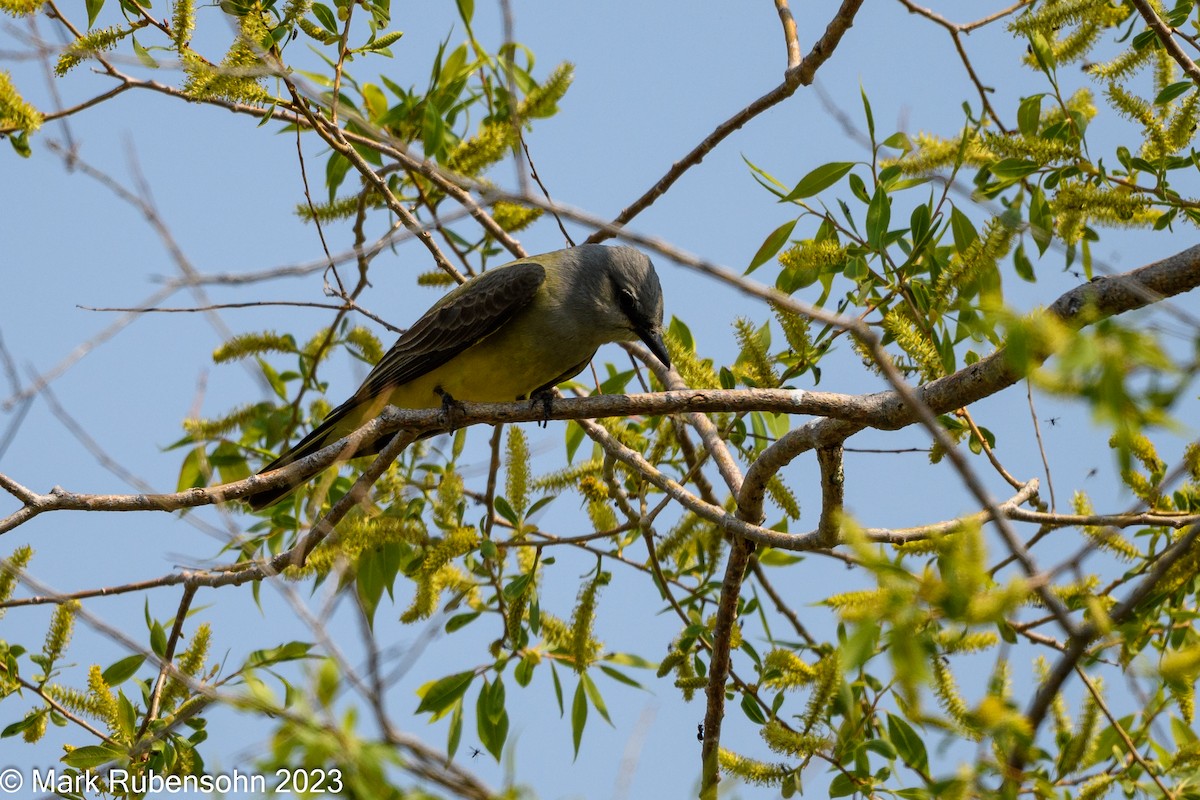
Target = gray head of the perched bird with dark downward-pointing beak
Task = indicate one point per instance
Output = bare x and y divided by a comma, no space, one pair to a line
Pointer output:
626,288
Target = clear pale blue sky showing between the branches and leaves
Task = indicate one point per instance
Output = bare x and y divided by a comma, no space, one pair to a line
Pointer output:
652,80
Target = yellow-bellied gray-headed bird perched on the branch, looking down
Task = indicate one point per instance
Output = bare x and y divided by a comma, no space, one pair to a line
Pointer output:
512,333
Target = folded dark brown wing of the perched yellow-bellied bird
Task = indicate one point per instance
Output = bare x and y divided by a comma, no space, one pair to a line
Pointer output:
455,324
